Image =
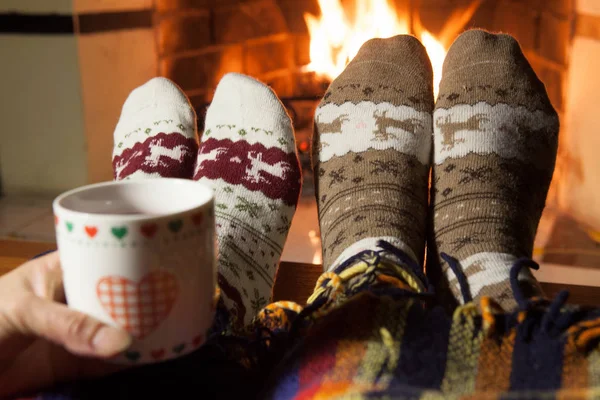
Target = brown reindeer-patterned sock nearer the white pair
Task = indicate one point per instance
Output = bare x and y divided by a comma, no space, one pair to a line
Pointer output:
372,146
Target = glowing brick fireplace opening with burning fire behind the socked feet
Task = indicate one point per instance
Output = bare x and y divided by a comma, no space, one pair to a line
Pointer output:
298,46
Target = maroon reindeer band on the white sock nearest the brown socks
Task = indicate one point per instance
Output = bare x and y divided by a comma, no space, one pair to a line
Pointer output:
272,171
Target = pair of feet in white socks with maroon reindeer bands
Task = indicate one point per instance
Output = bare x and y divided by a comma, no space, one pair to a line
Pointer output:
247,154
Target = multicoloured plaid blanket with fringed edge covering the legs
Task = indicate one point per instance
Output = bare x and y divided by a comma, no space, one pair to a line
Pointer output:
373,329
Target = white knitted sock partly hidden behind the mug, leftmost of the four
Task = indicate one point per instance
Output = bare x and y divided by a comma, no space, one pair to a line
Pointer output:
156,133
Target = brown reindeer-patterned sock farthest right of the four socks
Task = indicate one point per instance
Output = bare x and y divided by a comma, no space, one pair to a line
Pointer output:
495,146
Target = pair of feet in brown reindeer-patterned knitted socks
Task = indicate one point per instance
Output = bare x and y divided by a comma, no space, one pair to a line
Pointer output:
490,142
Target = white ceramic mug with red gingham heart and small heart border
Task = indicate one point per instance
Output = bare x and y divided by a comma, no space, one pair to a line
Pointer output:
141,255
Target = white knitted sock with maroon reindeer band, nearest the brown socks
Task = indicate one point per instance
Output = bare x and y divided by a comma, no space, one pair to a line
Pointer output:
248,155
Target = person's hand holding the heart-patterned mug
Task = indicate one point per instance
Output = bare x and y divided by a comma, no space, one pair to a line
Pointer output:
42,341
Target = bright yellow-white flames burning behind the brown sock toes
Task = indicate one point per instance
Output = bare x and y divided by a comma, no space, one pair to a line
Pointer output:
335,38
